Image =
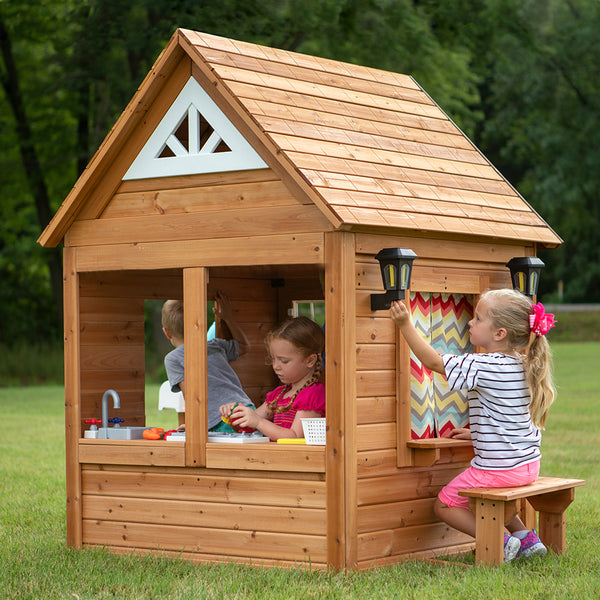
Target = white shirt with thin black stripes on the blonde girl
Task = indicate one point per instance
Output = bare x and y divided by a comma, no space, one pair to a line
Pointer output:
504,437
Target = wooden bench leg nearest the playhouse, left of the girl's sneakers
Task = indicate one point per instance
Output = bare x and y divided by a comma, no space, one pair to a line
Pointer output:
490,516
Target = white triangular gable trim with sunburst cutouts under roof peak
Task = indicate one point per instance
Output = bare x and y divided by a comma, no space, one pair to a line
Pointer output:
194,137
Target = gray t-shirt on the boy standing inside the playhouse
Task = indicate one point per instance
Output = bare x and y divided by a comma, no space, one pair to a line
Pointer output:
223,384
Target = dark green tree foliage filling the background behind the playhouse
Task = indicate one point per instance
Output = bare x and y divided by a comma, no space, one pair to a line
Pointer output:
520,77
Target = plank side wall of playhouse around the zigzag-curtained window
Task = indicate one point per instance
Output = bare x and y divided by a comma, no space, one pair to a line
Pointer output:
395,505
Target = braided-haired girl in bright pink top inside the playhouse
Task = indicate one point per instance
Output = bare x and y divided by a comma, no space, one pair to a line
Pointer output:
295,352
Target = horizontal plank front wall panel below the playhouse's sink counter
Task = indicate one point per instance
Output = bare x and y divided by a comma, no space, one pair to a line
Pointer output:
218,515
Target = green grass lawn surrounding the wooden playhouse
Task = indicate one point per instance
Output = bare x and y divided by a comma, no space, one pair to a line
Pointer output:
37,564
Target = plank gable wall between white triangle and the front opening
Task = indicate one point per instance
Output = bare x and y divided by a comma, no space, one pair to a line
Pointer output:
200,221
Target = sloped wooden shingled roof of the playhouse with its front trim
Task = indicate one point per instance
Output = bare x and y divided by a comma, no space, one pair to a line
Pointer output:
370,148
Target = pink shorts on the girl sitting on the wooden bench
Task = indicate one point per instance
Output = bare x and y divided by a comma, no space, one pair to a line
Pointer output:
473,477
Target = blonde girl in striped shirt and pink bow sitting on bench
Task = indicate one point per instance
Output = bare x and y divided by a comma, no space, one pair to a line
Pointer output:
509,390
